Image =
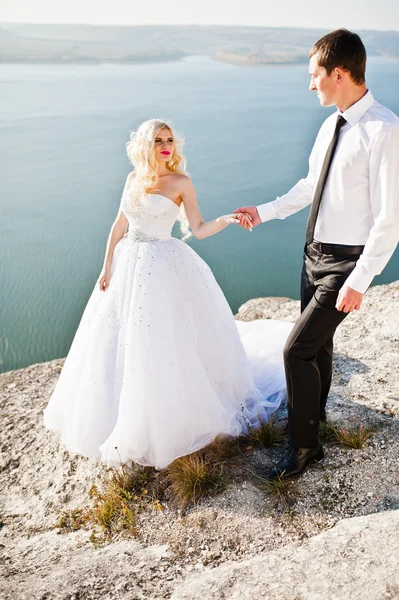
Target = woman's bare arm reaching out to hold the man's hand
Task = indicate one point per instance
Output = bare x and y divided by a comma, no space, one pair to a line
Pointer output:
199,227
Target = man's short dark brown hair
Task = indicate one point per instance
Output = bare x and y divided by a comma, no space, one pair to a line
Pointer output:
342,48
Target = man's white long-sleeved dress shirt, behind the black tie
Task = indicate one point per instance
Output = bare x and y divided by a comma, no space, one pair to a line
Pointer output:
360,203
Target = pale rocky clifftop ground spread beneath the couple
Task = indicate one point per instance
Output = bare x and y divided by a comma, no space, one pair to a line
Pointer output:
39,479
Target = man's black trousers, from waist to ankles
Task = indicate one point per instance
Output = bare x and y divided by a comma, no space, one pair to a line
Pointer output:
309,348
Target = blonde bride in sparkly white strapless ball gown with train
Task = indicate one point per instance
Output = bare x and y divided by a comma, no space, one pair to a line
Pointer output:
158,366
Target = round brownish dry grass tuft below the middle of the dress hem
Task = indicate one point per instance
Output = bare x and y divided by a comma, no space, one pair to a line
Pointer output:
195,476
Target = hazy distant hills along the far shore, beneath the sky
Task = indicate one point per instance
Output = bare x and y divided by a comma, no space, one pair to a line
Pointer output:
238,45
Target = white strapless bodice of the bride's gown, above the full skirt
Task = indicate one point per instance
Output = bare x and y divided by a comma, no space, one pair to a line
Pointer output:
154,222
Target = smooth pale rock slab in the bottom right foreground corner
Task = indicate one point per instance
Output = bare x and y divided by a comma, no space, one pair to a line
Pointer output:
357,559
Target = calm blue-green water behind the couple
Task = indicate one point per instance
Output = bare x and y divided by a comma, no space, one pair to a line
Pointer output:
248,135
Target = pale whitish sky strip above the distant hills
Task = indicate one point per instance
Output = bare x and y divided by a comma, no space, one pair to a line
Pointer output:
353,14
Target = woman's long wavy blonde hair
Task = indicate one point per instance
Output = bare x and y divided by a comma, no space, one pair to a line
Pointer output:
141,152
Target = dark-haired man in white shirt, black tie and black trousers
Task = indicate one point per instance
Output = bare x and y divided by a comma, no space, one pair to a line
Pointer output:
352,230
